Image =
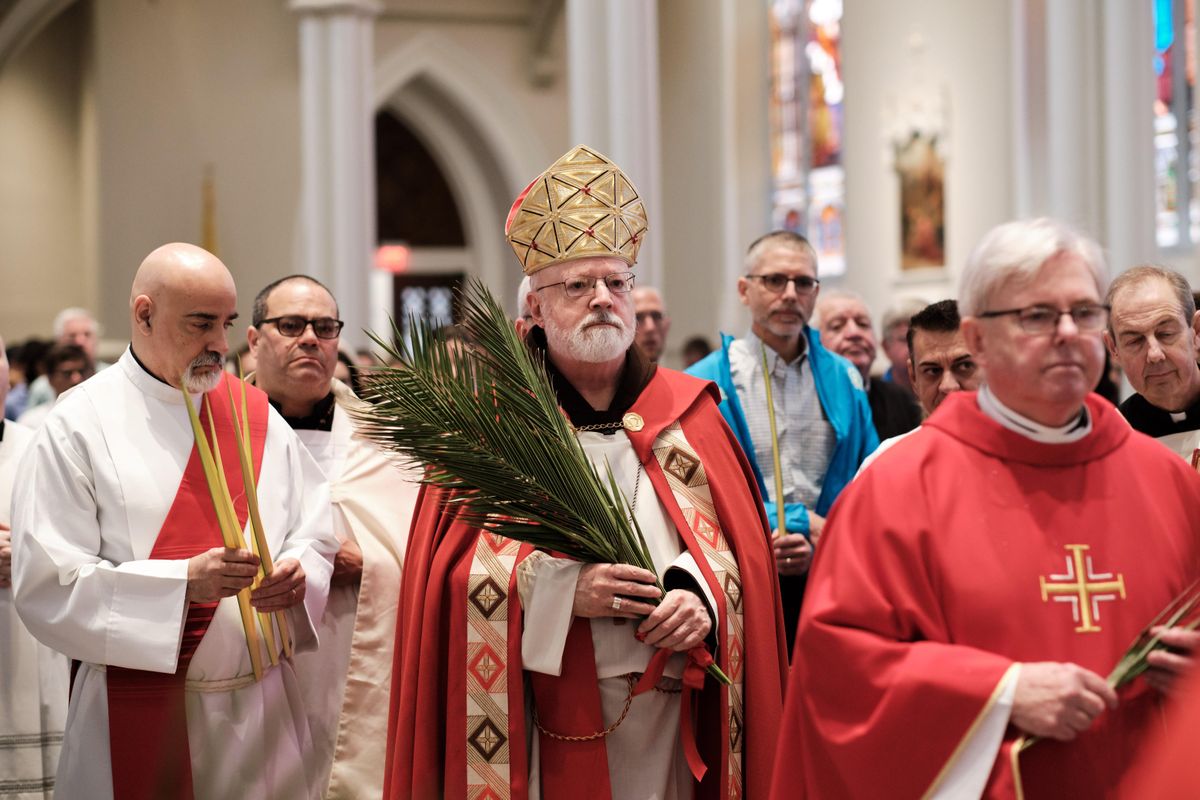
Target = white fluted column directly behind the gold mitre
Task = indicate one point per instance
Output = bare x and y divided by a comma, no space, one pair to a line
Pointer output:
614,87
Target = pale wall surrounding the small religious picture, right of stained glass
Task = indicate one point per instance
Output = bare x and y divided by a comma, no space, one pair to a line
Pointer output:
968,56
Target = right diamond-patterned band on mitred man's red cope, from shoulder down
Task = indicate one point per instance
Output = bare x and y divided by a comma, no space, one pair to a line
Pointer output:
689,485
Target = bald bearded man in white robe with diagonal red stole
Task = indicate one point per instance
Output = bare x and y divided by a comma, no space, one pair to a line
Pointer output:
118,560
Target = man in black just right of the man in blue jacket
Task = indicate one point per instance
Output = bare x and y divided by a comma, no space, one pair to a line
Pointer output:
847,329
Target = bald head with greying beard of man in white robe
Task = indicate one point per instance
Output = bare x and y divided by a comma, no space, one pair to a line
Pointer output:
182,304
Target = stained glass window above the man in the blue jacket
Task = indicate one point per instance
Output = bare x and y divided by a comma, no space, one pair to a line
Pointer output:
808,181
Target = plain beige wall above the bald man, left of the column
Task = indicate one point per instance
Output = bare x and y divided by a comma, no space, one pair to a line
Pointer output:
182,85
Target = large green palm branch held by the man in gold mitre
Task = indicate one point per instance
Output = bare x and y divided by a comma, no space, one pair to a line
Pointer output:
487,424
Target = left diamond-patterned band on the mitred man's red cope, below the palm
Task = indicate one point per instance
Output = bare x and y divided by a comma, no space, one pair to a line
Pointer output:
488,652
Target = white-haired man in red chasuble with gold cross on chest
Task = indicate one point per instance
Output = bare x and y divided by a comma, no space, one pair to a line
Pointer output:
982,579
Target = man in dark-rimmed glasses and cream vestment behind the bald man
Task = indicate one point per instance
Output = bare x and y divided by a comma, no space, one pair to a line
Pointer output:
295,339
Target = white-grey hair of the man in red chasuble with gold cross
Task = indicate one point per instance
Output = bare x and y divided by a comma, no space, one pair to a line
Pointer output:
1017,251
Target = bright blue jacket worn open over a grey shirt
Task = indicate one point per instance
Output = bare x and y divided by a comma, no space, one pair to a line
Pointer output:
845,406
